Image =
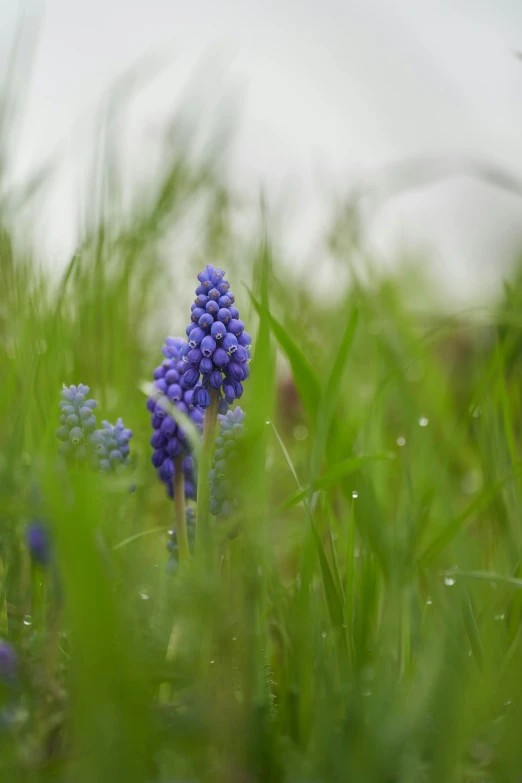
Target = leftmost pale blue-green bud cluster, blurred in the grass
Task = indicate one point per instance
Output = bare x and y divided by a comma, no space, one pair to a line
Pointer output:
77,422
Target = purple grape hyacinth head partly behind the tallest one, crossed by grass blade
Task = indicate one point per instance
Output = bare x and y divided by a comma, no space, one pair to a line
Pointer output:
169,440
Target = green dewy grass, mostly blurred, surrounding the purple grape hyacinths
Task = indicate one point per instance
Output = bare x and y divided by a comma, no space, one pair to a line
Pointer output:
365,624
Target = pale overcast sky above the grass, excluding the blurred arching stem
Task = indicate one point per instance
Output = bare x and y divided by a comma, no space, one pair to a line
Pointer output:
328,92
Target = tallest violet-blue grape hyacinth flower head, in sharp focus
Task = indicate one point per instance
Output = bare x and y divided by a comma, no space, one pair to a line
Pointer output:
218,348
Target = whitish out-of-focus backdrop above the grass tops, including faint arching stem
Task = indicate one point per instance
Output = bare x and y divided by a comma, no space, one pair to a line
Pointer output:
416,106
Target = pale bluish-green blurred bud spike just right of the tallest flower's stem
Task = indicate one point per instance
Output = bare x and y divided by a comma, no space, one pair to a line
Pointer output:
223,497
